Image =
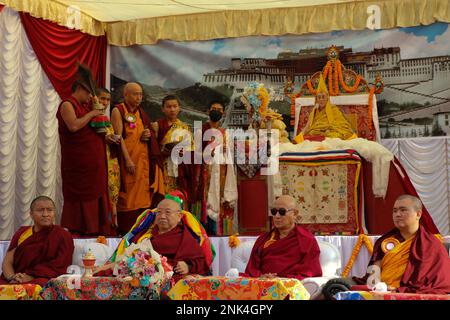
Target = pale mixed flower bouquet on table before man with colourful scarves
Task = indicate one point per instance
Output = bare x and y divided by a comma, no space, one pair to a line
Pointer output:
143,266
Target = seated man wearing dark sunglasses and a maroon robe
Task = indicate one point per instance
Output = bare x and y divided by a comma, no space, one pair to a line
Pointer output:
288,250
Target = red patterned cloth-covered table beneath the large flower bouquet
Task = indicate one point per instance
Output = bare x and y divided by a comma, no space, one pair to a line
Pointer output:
95,288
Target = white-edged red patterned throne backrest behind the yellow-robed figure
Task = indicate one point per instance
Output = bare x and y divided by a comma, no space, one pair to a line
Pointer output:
354,107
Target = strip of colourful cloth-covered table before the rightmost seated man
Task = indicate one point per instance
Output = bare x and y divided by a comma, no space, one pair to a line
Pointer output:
373,295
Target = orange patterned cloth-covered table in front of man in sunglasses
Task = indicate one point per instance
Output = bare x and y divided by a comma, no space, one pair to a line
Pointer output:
241,288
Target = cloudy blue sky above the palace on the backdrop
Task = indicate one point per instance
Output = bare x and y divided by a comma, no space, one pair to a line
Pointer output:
172,64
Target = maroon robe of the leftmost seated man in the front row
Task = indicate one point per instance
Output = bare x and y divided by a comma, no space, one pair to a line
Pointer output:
44,255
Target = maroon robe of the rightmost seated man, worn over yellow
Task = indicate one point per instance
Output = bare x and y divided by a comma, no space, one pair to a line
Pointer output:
428,269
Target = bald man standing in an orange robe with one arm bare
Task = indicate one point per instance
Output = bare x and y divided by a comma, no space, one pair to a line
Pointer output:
138,159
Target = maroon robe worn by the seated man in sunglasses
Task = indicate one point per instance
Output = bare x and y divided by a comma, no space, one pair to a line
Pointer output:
294,256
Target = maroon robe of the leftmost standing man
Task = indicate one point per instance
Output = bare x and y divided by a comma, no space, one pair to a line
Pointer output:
84,176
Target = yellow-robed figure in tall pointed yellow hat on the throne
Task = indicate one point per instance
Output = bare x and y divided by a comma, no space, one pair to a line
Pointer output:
325,120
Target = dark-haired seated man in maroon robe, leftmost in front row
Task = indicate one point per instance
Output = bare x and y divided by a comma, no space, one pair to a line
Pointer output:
40,252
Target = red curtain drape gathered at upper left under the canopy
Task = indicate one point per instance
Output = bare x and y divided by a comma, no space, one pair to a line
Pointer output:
59,49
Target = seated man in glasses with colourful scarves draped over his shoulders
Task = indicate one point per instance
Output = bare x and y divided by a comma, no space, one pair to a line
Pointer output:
174,233
